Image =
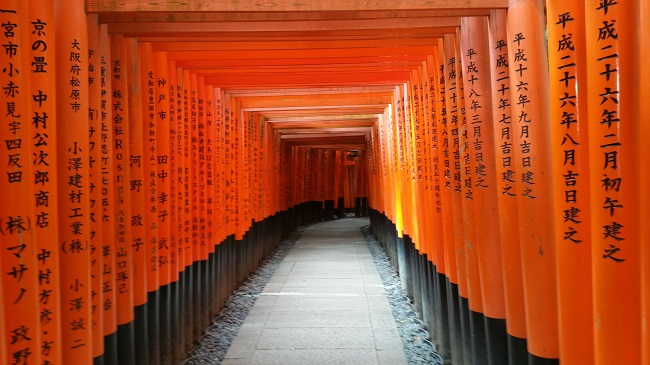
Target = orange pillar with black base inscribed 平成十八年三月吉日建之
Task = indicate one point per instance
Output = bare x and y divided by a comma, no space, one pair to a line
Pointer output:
478,106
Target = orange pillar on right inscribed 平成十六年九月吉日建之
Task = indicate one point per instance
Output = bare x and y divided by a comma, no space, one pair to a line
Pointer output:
531,145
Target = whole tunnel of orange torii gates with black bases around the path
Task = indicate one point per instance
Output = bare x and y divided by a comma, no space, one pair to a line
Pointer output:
153,153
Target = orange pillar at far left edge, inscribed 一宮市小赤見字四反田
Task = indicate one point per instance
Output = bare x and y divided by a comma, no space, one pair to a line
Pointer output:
18,224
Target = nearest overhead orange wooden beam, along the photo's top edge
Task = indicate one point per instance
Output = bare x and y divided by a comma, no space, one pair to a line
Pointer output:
108,6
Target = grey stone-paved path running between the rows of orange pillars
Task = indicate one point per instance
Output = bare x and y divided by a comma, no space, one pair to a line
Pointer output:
324,305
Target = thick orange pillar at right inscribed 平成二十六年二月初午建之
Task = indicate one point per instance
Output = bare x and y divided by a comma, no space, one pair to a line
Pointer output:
613,96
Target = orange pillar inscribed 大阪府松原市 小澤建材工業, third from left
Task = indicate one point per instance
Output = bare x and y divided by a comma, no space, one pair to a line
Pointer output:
74,188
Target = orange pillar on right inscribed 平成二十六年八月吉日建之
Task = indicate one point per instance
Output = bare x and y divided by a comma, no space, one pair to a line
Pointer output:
569,124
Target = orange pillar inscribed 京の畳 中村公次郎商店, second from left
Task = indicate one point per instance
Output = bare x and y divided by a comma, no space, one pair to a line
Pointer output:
43,105
